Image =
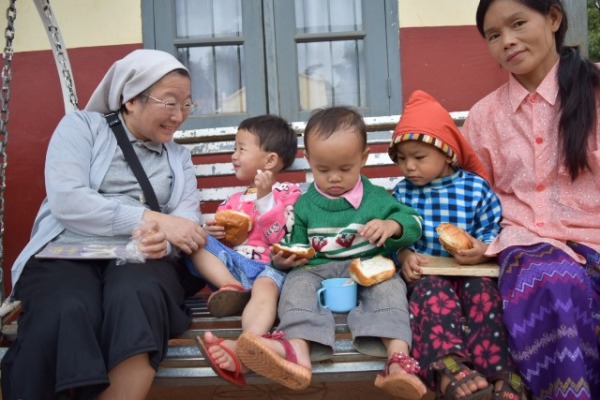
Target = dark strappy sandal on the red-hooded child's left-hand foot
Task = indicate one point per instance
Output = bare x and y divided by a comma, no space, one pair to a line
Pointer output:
459,373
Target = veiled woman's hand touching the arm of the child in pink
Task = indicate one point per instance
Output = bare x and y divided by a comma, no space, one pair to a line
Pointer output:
181,232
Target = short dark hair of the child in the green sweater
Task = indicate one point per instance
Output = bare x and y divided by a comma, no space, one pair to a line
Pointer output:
324,122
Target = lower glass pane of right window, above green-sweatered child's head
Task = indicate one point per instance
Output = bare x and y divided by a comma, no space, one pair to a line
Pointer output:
331,73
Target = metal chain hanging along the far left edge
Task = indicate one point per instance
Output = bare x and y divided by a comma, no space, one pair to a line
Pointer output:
9,34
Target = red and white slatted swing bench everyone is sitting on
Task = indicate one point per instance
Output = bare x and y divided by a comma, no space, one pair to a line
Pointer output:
211,153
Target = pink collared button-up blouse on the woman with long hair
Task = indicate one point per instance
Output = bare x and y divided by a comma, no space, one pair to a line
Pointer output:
515,133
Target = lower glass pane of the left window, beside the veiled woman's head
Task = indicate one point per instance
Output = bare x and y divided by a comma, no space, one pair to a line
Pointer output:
217,83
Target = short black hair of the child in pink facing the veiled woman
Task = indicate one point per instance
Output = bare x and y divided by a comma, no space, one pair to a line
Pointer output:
274,135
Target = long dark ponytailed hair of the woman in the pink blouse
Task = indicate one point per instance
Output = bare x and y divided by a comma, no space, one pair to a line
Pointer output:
578,81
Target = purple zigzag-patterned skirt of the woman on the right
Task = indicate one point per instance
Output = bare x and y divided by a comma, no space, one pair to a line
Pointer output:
552,313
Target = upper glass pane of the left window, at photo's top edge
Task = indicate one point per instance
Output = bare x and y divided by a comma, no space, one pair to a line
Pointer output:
208,18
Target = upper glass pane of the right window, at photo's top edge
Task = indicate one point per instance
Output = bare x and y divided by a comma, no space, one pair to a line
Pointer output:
320,16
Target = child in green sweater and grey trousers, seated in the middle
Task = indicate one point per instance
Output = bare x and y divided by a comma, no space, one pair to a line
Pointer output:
343,217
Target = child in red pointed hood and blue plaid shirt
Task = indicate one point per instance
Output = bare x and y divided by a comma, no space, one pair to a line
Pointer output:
445,181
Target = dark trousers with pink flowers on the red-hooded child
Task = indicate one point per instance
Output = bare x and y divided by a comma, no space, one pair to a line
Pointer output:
460,316
